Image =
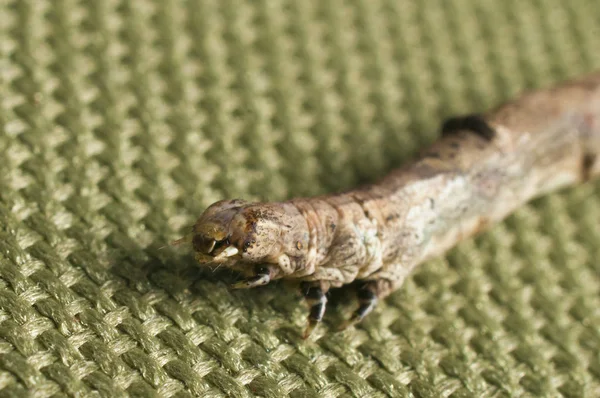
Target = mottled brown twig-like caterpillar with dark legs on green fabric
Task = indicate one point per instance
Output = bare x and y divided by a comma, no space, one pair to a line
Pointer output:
480,170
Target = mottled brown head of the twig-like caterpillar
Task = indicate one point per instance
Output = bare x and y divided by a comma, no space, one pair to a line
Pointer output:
241,235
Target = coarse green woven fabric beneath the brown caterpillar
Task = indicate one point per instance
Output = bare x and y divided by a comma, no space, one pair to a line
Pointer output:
121,121
